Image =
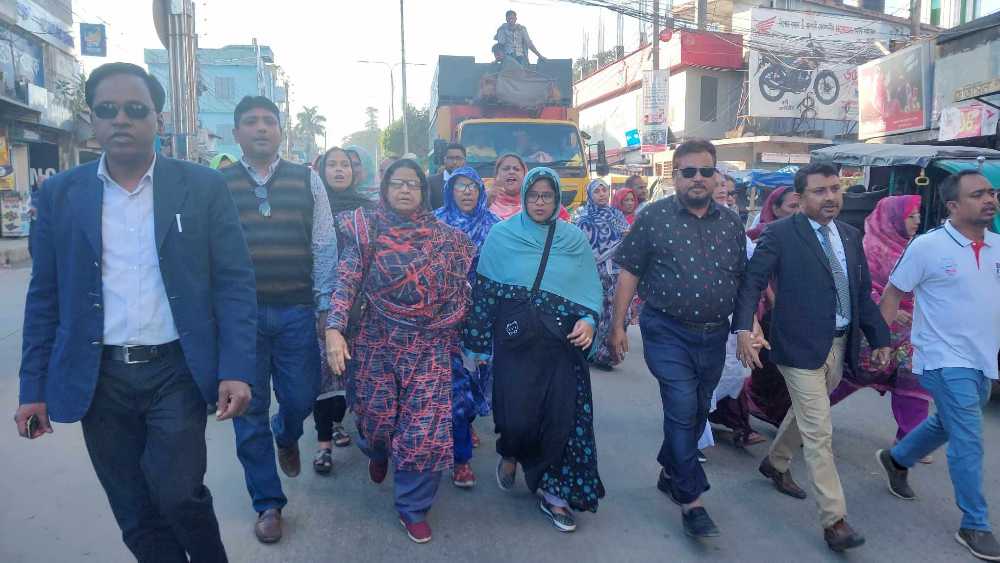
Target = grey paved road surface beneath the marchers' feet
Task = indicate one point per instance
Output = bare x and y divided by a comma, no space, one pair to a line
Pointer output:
53,509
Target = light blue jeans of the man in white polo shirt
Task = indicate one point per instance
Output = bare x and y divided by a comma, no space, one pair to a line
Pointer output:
959,396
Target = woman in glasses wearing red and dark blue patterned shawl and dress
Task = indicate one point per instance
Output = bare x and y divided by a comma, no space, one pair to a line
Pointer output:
412,271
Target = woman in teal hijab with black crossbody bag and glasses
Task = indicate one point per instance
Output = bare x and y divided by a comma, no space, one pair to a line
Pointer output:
537,324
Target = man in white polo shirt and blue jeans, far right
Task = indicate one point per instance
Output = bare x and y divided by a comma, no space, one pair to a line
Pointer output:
954,273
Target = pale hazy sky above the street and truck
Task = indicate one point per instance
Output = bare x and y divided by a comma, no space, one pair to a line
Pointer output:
318,42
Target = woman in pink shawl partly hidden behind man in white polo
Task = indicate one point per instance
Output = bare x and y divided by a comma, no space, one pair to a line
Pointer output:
888,230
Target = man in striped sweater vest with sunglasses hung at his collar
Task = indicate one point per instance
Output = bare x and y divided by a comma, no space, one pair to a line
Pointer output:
289,228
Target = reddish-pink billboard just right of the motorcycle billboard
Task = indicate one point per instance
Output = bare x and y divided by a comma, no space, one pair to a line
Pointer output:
895,93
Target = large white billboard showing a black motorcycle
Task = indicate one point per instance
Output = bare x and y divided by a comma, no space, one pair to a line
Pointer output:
804,64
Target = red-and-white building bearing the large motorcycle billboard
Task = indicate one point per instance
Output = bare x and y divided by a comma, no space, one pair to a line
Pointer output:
768,80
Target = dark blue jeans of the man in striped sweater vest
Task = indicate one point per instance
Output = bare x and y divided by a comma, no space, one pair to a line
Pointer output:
288,357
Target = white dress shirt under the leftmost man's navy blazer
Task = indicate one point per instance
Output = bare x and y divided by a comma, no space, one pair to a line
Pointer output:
136,308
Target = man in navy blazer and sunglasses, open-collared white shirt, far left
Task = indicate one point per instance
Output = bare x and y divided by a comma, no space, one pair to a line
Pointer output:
141,311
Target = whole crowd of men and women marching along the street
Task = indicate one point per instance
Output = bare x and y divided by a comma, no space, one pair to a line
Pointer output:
160,287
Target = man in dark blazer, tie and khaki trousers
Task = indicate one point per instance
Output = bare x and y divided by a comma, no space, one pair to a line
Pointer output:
822,305
